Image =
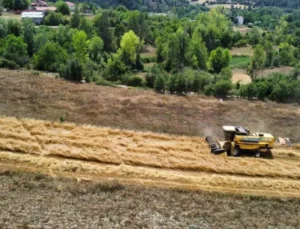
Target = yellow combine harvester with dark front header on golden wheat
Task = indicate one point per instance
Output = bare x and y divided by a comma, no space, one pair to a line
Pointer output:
239,139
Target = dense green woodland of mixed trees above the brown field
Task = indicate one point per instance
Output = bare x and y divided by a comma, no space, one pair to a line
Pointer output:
192,53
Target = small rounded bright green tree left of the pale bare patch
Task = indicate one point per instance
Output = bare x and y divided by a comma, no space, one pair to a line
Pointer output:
218,59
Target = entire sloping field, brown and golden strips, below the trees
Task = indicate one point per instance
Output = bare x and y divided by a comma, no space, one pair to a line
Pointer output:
138,159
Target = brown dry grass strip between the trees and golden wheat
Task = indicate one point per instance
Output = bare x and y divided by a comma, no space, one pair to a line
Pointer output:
26,95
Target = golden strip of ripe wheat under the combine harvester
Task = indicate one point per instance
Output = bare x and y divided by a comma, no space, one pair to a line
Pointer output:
89,152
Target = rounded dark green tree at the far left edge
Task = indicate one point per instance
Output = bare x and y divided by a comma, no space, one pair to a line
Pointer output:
15,49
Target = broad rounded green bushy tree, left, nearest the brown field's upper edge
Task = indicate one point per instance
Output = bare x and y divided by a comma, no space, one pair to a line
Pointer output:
49,57
